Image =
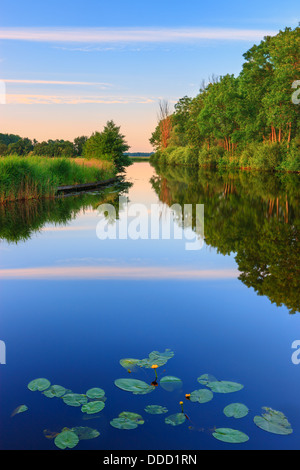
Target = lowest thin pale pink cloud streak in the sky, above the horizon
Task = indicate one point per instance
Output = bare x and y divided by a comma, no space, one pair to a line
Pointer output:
63,99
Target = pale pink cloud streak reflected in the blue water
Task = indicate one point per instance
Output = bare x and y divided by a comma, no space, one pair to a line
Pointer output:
118,272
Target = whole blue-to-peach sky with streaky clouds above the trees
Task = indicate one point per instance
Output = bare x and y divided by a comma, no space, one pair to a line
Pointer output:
70,66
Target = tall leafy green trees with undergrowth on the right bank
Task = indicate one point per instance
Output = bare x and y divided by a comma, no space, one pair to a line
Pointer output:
248,121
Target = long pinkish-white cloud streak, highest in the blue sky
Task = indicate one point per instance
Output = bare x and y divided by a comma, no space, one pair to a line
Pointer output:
136,35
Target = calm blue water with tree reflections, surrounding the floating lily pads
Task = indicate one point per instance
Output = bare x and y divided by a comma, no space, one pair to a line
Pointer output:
72,306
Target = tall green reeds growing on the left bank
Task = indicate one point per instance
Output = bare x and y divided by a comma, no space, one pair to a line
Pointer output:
24,178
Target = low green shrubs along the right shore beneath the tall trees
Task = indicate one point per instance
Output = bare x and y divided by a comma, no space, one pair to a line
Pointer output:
267,156
